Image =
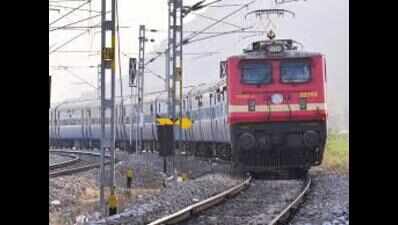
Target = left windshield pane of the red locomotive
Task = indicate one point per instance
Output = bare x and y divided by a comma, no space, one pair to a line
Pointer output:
256,73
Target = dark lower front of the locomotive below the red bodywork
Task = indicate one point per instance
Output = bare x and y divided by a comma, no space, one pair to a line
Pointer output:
262,148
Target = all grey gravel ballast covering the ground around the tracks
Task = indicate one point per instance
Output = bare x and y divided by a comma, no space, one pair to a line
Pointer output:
74,198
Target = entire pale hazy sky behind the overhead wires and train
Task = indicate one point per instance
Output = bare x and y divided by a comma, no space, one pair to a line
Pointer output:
321,25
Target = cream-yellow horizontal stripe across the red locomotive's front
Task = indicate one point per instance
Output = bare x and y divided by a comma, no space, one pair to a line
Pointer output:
277,108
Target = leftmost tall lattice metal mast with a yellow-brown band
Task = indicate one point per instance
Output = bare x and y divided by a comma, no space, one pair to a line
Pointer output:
107,95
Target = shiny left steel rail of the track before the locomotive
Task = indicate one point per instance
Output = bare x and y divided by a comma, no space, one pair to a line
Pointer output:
196,208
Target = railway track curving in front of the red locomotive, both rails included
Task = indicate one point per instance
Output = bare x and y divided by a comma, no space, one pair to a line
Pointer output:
256,202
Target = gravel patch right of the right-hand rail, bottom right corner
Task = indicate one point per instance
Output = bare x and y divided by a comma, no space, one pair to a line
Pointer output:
328,201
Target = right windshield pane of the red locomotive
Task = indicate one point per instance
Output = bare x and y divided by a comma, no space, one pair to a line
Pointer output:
295,72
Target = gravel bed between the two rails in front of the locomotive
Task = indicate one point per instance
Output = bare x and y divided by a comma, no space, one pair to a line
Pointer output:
256,205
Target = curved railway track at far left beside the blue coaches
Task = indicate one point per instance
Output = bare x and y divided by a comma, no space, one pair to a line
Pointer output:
81,161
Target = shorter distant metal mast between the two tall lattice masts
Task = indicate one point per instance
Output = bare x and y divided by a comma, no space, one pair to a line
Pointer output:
140,84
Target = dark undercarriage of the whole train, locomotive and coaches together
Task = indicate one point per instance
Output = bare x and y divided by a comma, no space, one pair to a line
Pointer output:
256,148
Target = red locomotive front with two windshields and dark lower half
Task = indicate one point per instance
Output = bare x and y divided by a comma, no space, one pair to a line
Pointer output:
277,110
